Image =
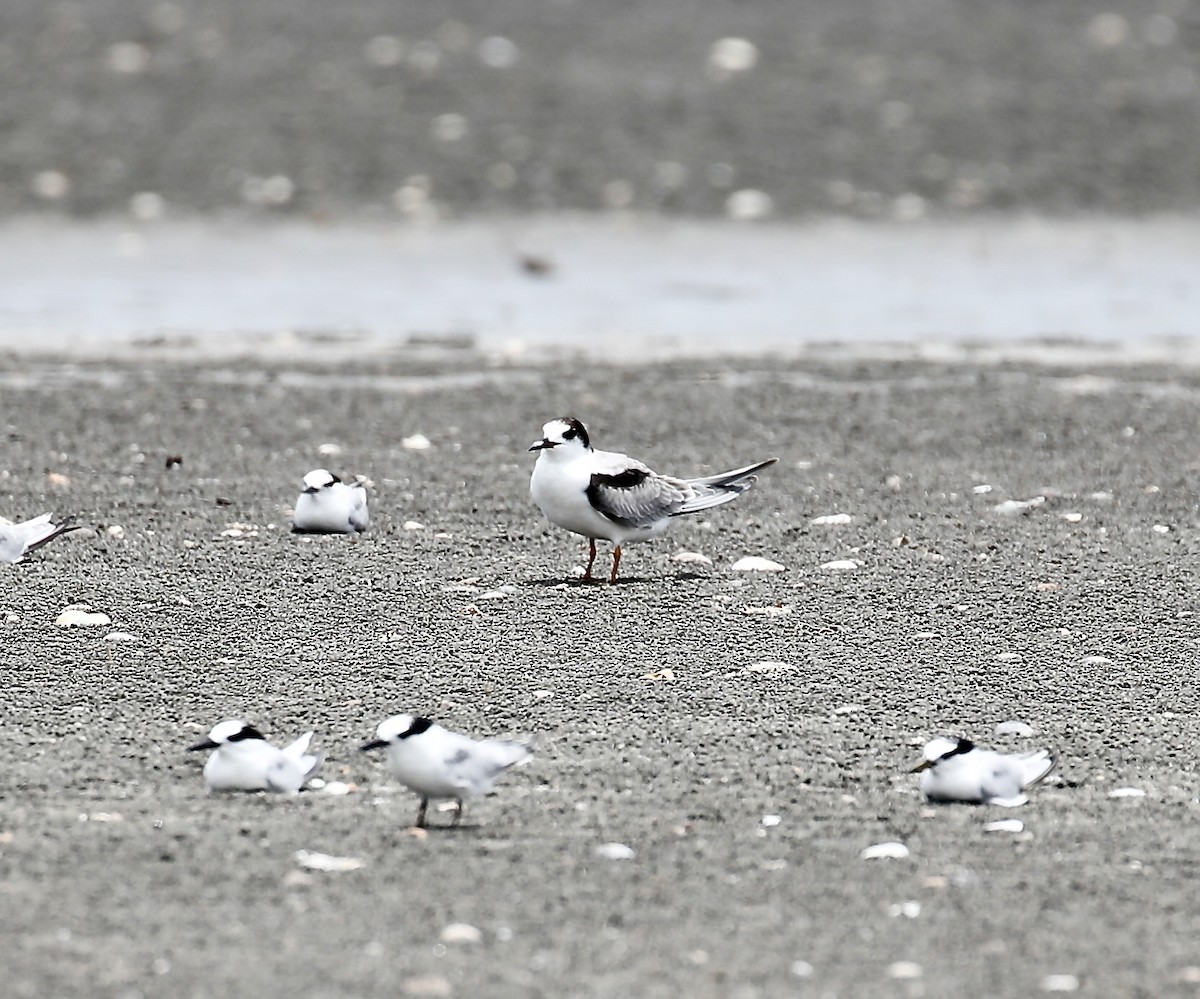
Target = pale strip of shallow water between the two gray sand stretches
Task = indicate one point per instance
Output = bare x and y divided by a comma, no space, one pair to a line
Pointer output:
626,290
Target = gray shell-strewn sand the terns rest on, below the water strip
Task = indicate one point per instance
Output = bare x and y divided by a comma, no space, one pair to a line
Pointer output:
122,877
